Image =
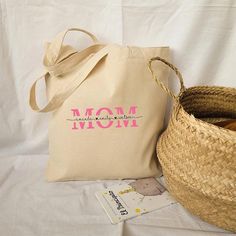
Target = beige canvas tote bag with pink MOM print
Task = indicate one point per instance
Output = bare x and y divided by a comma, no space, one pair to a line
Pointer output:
107,111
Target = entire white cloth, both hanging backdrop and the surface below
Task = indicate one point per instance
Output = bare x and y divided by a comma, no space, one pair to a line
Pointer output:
202,37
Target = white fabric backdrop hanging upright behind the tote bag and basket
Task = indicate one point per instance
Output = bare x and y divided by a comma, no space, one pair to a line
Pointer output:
201,34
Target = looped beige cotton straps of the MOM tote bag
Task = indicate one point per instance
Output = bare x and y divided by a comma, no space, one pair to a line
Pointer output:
60,59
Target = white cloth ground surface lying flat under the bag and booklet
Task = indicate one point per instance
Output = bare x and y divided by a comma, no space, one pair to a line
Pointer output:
30,206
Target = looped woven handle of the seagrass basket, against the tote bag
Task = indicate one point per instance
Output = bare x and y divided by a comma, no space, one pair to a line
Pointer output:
160,83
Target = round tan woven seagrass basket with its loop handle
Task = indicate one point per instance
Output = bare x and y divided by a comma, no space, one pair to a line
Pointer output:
198,158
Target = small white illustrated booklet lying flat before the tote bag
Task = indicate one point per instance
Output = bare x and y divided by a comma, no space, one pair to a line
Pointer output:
122,201
